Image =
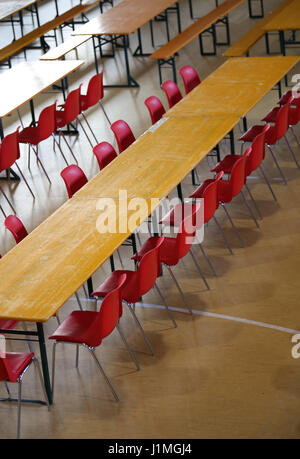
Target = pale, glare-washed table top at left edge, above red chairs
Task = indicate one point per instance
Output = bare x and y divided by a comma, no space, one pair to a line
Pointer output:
35,77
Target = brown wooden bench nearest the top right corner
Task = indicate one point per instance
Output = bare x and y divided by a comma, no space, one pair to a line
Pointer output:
242,46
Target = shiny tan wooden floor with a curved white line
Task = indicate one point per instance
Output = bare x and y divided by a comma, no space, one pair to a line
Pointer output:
225,372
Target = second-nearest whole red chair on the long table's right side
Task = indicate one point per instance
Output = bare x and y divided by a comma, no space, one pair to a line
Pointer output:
138,283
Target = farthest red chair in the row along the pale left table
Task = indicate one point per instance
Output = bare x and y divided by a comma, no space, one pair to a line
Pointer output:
94,95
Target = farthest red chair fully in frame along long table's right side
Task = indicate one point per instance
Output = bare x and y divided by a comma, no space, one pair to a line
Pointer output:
275,133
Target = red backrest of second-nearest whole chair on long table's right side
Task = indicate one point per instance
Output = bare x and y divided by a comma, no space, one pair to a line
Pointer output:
149,268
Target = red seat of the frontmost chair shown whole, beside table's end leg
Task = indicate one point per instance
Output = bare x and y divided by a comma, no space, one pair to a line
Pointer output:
78,327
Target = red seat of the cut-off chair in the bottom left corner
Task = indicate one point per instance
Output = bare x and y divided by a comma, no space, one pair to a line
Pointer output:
15,364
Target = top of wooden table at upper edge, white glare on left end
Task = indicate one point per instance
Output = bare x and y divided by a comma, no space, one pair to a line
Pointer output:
124,18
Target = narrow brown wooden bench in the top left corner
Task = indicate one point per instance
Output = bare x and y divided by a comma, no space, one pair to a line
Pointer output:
67,18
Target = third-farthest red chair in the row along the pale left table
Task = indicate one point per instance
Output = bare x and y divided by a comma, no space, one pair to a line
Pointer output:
44,128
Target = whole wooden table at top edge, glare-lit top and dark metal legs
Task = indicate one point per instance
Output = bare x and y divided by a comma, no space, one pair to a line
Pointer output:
122,20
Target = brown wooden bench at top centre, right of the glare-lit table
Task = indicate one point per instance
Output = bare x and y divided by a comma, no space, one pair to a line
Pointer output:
206,24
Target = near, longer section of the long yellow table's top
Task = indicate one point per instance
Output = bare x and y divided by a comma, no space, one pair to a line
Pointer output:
66,249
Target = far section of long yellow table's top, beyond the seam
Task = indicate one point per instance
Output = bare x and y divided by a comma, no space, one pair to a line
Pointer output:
235,87
